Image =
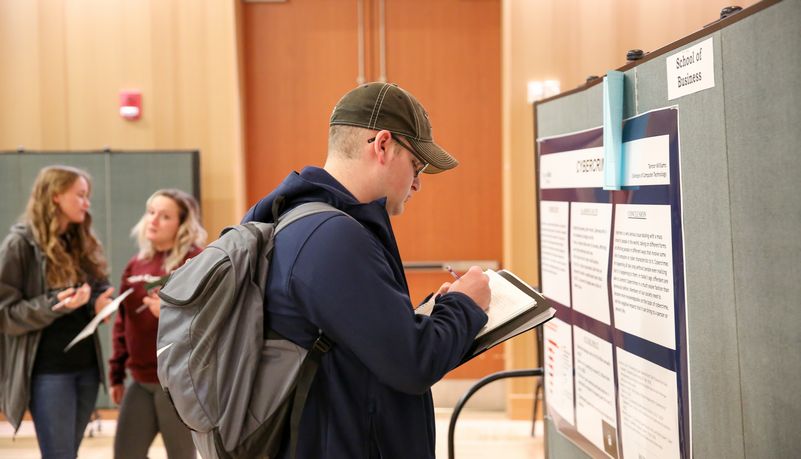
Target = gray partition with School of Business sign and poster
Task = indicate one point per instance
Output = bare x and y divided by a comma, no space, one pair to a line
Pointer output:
679,295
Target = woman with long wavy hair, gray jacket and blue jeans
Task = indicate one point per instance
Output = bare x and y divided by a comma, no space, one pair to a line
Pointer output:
52,282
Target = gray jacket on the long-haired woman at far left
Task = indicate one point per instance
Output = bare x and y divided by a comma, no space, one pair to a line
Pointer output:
24,311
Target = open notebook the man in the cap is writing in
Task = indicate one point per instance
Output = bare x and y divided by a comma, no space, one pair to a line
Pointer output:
515,307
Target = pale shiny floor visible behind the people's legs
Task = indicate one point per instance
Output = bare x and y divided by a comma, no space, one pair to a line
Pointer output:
479,434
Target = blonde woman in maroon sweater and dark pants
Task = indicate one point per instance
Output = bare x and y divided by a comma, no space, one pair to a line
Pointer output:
168,234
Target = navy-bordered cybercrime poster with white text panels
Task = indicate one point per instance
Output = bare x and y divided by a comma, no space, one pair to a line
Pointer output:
616,380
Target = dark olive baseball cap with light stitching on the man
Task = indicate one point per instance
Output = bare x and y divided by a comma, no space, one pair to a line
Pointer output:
386,106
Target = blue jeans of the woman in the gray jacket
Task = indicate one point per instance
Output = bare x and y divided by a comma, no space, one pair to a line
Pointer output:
61,405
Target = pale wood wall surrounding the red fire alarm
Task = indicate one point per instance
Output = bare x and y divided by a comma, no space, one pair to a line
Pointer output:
70,59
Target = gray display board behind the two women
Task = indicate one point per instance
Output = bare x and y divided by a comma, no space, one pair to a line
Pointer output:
121,183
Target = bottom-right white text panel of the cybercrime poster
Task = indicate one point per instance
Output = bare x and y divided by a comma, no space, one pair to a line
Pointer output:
649,423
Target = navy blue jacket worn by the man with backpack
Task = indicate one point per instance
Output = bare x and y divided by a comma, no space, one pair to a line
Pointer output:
371,397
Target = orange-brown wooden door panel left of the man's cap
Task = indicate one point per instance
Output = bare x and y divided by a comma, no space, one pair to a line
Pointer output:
300,57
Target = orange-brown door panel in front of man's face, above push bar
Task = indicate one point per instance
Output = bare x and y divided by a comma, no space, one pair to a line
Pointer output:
451,62
